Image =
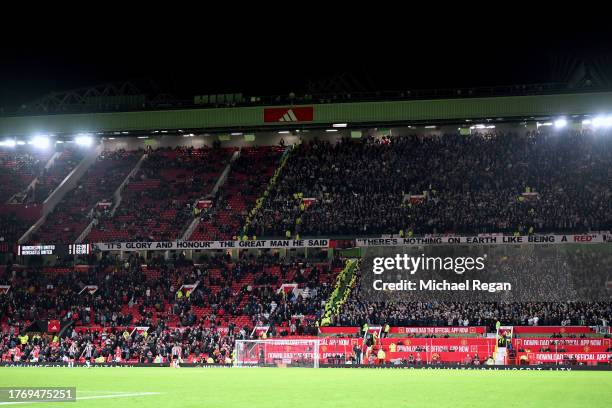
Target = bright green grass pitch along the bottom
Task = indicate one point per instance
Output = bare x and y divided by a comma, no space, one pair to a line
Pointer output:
320,388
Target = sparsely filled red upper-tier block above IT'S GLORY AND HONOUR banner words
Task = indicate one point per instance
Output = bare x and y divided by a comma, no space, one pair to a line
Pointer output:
156,205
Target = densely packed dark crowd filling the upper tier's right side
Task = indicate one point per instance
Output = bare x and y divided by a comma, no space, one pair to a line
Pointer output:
492,182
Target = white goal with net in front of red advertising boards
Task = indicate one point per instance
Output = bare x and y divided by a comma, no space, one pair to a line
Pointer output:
277,353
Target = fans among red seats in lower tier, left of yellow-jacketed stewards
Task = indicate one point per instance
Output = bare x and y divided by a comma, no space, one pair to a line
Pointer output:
232,298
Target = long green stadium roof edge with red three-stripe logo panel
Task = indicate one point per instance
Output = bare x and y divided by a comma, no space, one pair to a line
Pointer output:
316,115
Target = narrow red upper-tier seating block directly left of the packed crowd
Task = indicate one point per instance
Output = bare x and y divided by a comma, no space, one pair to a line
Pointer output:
247,180
